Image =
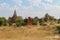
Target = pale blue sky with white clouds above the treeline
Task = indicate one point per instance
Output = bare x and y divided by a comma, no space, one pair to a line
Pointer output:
32,8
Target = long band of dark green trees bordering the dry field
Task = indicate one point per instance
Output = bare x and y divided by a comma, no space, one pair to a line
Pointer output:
19,21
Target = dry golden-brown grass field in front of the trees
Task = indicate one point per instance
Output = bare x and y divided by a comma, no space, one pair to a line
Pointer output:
26,33
